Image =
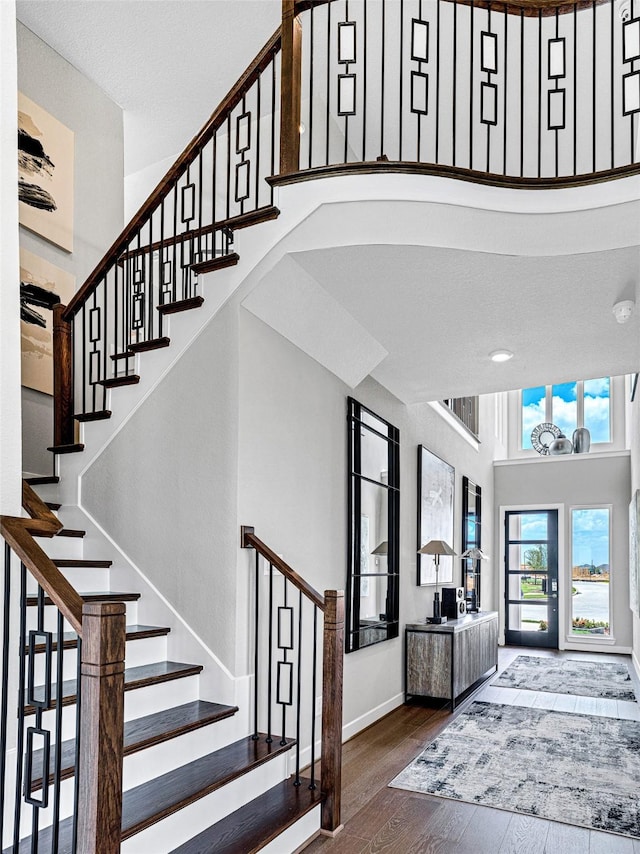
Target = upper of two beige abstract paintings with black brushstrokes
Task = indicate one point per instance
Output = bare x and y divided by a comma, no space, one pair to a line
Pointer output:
45,174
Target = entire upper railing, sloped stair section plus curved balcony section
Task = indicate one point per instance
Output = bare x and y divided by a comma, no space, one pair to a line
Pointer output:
529,93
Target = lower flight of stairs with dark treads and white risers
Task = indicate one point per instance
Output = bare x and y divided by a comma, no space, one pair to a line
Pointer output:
189,784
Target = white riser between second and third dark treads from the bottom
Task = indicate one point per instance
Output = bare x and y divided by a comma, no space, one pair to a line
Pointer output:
161,758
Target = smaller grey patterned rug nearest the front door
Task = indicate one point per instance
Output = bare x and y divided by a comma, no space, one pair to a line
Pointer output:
564,676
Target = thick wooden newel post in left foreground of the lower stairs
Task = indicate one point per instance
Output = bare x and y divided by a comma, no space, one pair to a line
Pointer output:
102,725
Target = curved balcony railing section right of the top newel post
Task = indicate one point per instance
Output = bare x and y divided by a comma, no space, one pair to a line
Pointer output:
538,93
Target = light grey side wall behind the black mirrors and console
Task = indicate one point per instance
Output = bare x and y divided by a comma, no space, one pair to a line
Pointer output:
293,489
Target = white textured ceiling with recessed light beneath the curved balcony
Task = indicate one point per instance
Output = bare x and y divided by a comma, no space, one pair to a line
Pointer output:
440,312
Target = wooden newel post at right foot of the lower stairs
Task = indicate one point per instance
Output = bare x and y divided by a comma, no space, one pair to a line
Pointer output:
333,655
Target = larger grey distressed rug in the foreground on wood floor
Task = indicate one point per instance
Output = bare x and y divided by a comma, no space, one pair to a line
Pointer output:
571,768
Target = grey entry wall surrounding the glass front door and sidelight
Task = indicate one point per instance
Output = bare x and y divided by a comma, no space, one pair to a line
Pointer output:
573,481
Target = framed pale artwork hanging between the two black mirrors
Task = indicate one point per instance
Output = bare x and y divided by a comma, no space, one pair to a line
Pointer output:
436,485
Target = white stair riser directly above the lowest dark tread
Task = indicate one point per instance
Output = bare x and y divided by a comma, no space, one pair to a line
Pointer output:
176,829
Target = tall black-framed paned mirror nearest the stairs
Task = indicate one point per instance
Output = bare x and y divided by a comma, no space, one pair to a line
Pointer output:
374,528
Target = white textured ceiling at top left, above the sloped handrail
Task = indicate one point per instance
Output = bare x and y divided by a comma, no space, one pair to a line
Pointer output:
167,63
